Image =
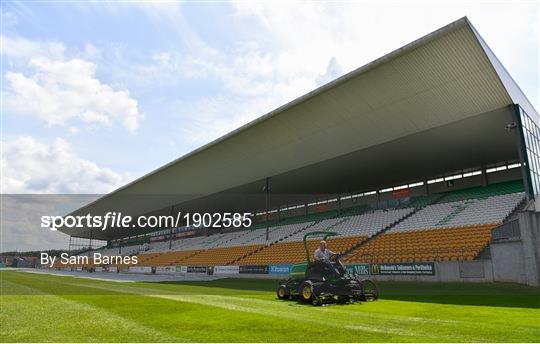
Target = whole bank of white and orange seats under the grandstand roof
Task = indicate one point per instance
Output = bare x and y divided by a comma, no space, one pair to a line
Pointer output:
455,225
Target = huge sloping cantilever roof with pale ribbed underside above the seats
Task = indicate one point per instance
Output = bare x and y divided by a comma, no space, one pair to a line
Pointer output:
438,104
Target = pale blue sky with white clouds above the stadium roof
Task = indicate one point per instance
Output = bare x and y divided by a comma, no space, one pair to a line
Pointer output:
147,82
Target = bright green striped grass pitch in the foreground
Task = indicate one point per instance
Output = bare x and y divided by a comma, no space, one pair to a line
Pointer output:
46,308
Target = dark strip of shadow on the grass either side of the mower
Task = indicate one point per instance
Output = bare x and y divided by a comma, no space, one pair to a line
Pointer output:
473,294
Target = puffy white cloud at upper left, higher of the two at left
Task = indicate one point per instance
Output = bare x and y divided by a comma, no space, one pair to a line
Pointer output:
65,91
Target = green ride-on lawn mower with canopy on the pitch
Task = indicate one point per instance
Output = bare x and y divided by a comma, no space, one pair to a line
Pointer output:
322,282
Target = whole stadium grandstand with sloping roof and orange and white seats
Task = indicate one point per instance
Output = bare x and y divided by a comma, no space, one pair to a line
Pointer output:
427,155
